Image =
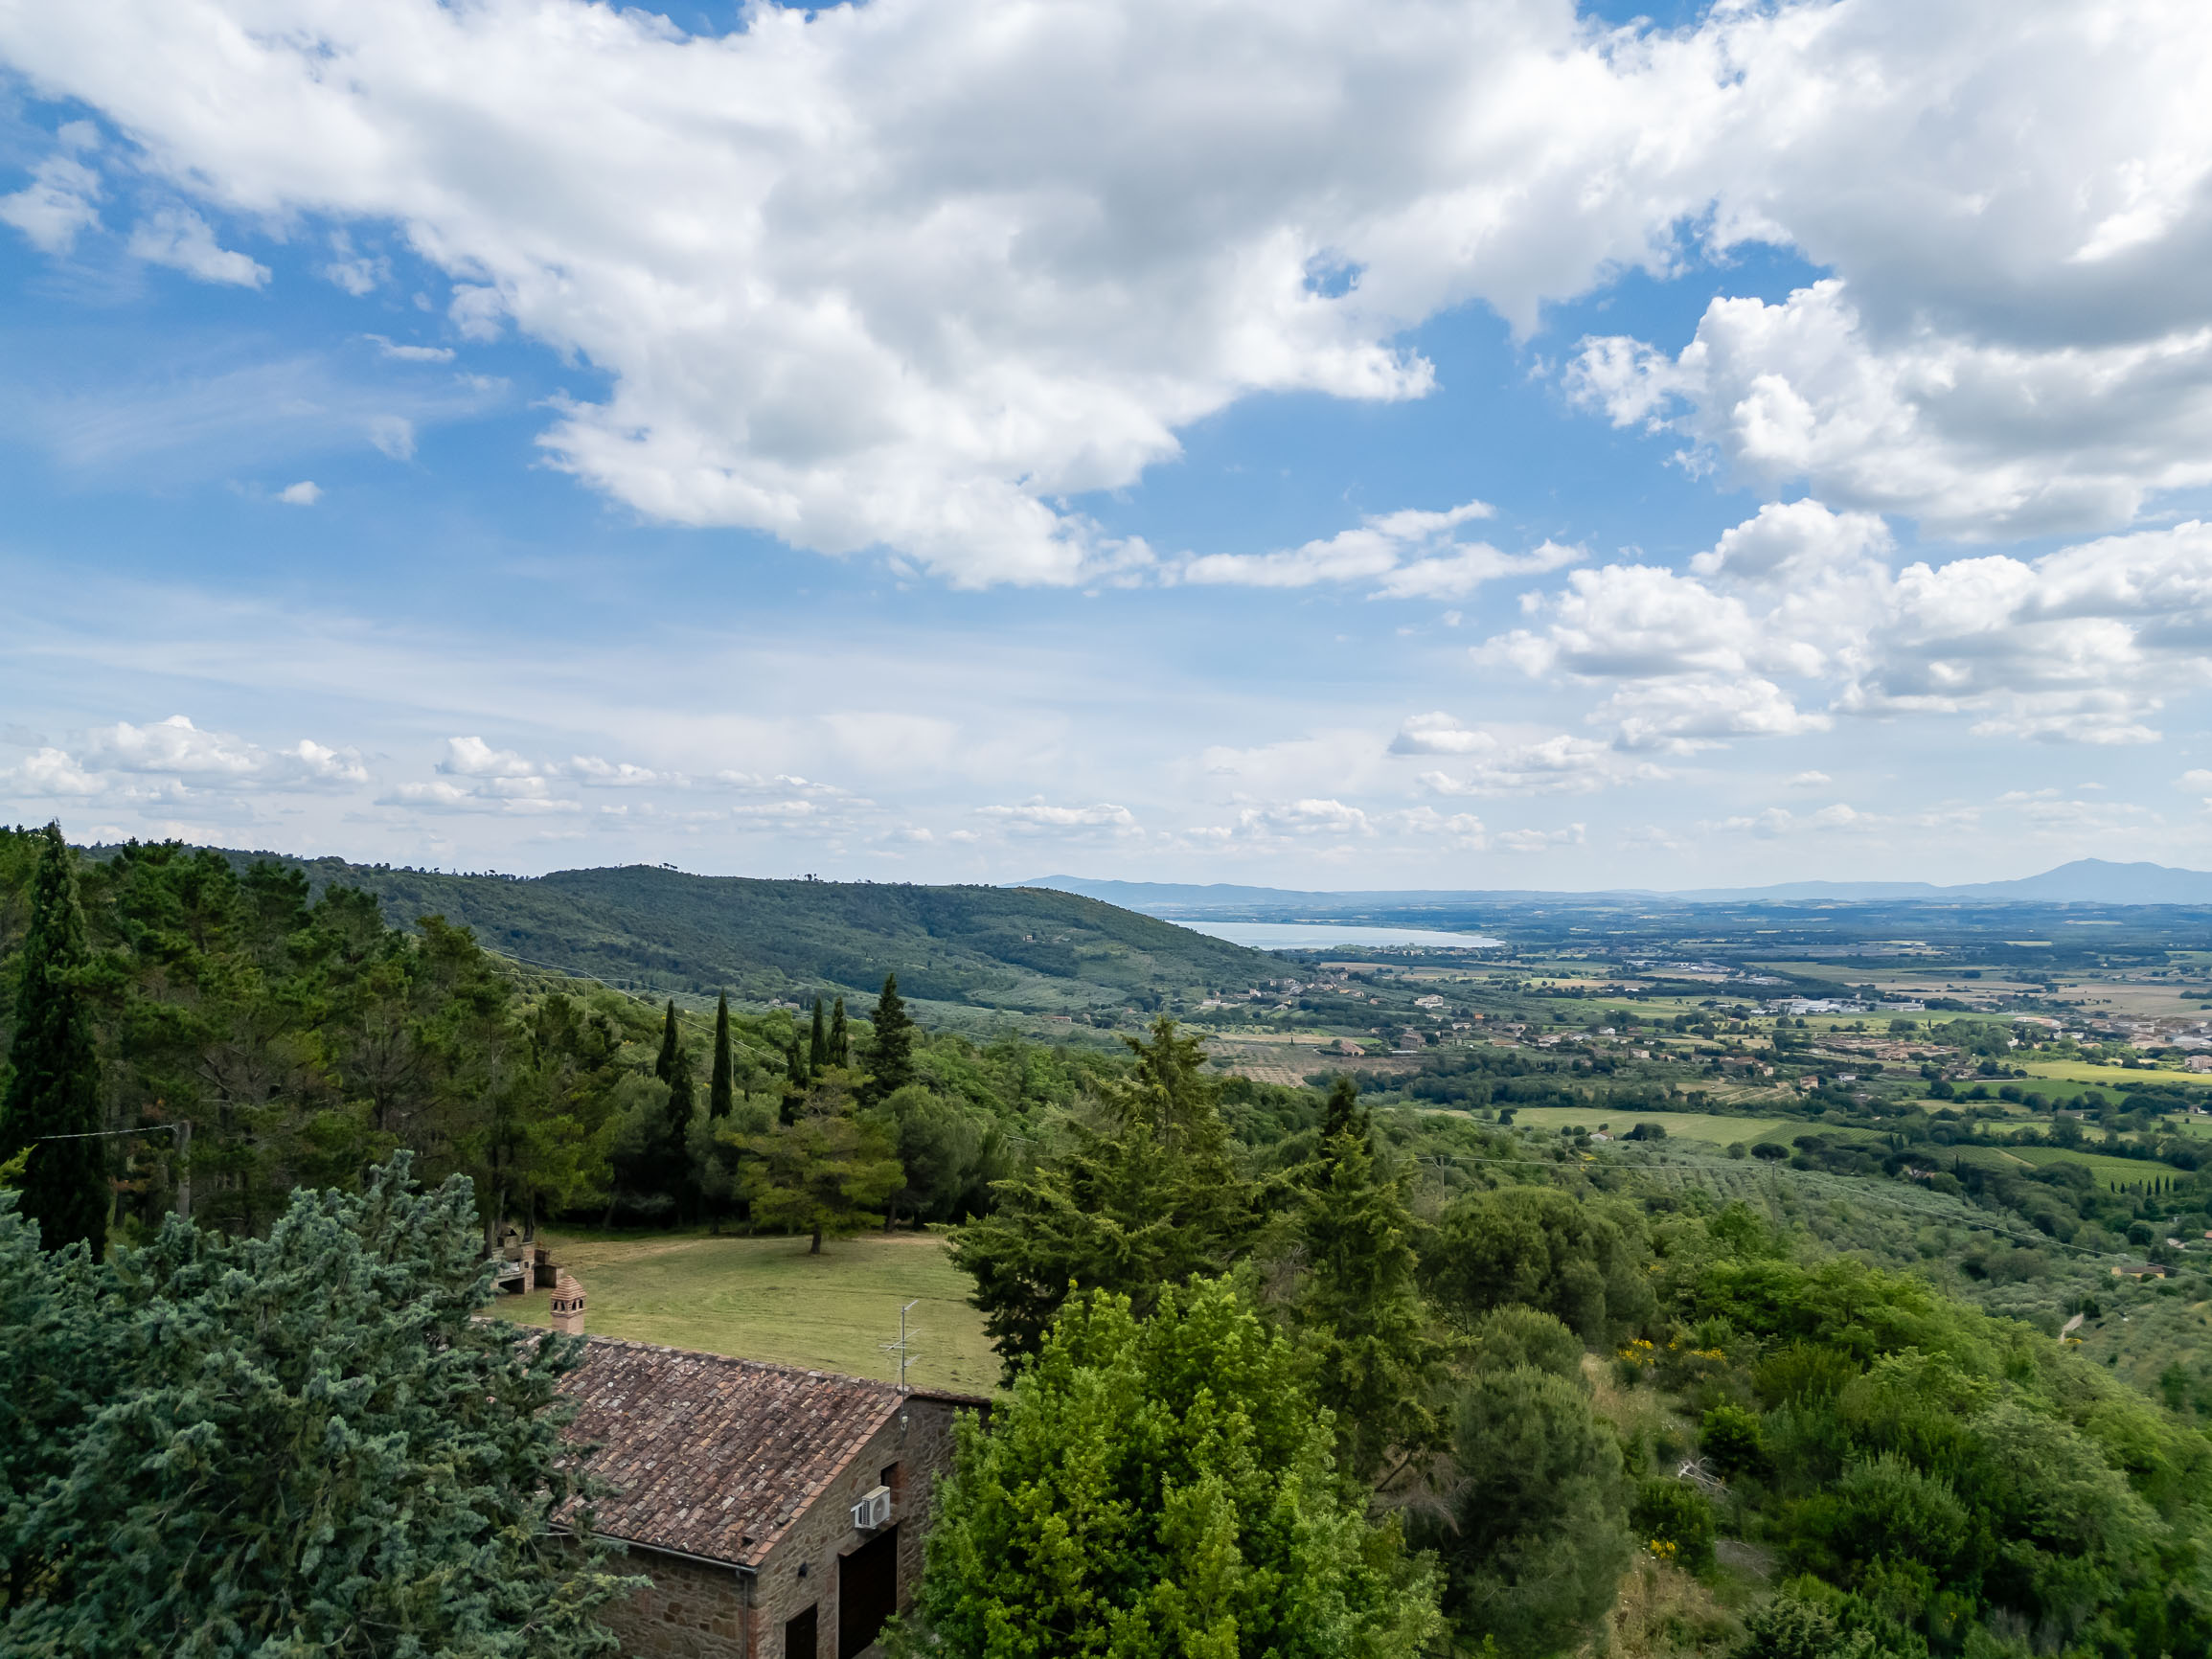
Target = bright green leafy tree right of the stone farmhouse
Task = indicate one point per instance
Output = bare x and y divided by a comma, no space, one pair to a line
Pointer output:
1162,1488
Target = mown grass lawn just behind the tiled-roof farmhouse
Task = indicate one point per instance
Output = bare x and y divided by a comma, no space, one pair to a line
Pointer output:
769,1300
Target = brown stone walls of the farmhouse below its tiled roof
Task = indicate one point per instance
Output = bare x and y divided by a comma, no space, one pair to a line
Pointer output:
698,1611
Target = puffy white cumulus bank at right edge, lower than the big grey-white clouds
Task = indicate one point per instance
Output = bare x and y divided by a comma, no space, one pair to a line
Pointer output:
1795,605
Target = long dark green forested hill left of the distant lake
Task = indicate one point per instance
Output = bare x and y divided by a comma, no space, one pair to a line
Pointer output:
658,930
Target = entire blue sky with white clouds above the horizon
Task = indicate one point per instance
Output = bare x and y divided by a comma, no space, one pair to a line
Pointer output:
1315,444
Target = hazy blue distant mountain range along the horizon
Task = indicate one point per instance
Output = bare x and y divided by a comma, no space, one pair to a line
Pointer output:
2085,881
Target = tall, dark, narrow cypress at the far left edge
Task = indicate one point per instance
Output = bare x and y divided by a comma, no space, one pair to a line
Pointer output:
54,1074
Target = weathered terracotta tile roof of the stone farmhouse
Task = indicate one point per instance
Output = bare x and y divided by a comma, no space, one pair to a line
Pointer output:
716,1457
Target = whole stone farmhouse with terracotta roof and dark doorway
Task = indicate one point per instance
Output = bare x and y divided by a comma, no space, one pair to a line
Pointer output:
778,1512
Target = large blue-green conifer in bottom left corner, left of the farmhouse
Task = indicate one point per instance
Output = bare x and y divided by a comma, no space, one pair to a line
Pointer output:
286,1446
